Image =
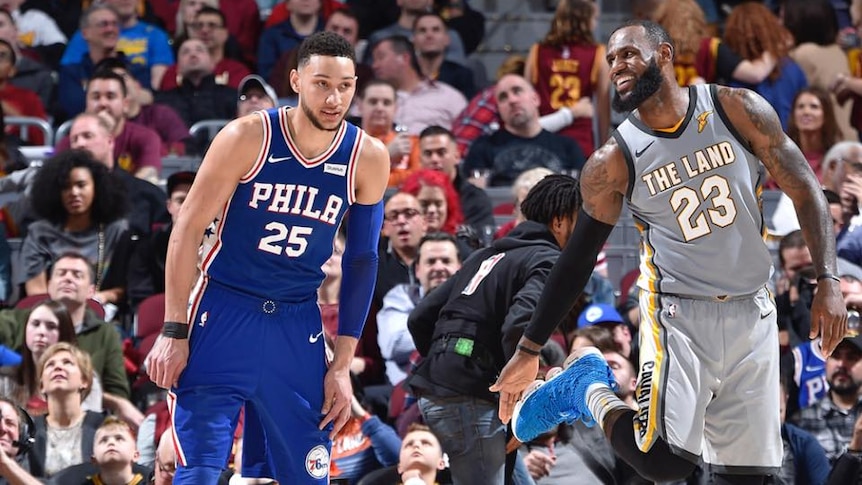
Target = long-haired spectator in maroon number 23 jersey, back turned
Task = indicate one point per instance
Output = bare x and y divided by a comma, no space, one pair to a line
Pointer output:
568,67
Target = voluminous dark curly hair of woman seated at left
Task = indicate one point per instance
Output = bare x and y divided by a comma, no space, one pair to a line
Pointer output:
109,200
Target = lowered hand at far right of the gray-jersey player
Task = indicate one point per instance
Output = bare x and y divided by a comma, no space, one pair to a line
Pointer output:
828,315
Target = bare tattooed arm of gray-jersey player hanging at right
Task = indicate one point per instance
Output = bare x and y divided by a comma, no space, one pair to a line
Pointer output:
756,121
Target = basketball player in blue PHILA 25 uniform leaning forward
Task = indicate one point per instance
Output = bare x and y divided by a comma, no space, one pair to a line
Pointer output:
267,201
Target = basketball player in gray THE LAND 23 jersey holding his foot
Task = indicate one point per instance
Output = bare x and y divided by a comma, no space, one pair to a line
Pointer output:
686,162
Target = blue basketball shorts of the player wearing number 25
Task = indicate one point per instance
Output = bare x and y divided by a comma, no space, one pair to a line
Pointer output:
269,357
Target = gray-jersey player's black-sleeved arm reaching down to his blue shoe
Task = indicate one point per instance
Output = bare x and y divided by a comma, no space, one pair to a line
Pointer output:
604,181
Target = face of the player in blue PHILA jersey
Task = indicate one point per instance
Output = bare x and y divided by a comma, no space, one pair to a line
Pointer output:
325,85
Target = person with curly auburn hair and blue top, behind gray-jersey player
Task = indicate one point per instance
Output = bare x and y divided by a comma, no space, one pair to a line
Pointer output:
750,31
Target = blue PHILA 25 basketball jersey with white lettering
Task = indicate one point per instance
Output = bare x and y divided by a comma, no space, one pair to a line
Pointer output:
277,229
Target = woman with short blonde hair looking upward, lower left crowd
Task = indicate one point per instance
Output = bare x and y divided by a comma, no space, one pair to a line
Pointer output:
64,436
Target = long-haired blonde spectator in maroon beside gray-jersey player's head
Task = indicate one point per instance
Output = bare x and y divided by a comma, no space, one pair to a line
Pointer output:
701,58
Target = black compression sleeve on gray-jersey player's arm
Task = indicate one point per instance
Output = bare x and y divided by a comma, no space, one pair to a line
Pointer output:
568,277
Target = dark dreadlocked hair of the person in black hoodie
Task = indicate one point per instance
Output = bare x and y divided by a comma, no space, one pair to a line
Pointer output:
555,196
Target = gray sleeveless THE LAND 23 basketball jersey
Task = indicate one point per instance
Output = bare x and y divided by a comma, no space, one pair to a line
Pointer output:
695,197
